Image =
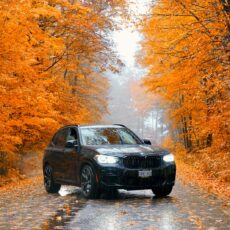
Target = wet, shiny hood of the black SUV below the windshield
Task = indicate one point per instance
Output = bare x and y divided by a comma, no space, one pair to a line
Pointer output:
127,150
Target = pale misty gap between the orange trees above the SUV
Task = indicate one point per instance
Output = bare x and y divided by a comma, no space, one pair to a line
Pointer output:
128,101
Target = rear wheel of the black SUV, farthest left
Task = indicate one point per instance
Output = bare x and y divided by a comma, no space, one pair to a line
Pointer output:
49,184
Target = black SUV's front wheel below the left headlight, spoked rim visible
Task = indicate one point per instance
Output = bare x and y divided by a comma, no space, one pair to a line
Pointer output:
90,189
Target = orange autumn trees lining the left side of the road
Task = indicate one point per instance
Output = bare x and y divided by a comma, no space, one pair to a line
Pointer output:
52,57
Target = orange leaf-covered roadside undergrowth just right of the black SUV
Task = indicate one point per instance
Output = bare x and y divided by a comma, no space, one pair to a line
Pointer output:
192,169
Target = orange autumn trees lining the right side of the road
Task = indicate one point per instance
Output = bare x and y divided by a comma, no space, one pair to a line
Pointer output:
186,49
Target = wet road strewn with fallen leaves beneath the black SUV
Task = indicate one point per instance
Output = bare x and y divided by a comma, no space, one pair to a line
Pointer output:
188,207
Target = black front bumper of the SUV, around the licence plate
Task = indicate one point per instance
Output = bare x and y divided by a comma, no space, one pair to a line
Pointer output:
124,178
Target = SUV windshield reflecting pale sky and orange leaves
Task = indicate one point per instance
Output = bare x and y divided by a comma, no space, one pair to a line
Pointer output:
108,136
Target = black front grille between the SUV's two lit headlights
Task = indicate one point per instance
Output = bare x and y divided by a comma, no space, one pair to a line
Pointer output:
143,162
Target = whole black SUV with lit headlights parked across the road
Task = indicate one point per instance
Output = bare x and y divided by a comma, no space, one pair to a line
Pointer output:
99,157
